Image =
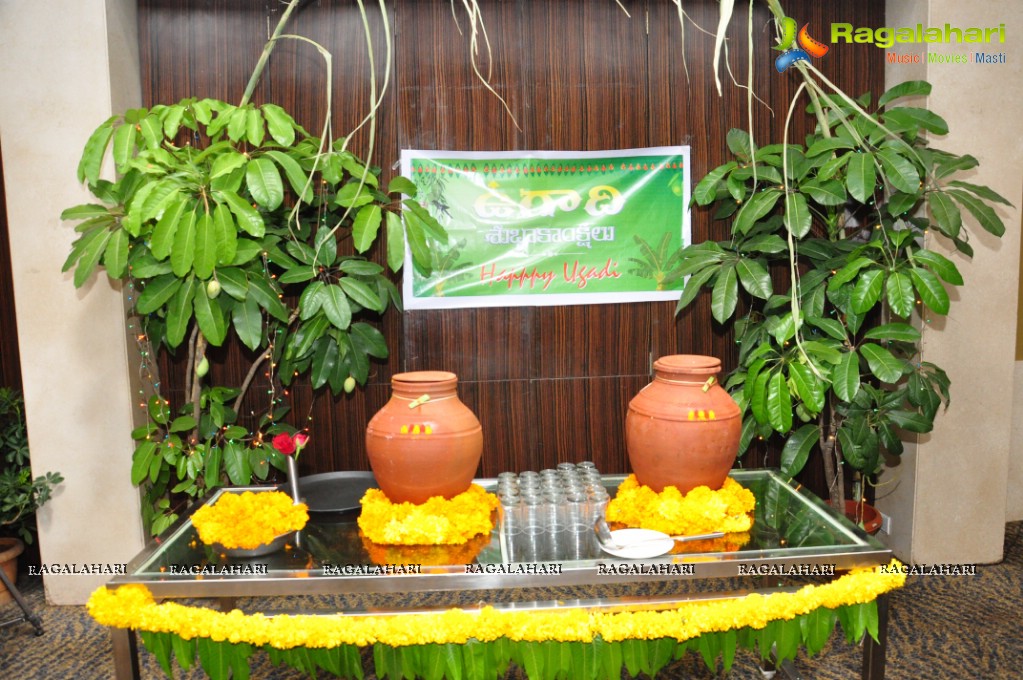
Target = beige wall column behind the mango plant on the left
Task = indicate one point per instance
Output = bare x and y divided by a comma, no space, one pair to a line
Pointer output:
63,72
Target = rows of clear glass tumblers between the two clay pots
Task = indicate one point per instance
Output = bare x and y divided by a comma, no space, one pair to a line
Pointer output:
549,516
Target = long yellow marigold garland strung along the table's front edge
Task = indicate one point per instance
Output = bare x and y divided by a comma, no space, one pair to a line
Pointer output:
134,607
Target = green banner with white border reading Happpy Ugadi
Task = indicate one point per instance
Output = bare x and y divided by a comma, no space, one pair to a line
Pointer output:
551,228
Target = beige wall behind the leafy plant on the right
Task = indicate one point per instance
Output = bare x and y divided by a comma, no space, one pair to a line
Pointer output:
948,498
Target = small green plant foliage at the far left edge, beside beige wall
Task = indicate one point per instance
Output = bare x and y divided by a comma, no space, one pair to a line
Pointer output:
21,495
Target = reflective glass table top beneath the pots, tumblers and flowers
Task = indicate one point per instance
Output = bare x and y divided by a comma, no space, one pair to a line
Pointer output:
793,533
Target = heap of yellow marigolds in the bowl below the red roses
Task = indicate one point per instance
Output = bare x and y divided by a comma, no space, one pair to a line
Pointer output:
249,520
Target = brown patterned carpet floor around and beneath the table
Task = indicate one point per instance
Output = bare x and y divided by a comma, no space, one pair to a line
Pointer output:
941,627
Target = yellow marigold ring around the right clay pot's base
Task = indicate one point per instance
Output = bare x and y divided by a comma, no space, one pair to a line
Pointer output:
700,512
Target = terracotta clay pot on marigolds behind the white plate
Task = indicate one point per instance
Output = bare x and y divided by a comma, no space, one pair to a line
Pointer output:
683,430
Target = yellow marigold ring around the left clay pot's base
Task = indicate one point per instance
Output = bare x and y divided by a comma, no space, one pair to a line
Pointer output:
438,522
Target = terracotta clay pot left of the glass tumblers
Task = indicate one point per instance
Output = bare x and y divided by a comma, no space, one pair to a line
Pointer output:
425,442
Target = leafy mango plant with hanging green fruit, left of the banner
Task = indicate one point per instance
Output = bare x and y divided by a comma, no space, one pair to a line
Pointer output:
231,223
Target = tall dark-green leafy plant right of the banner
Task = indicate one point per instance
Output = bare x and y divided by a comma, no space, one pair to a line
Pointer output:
829,360
